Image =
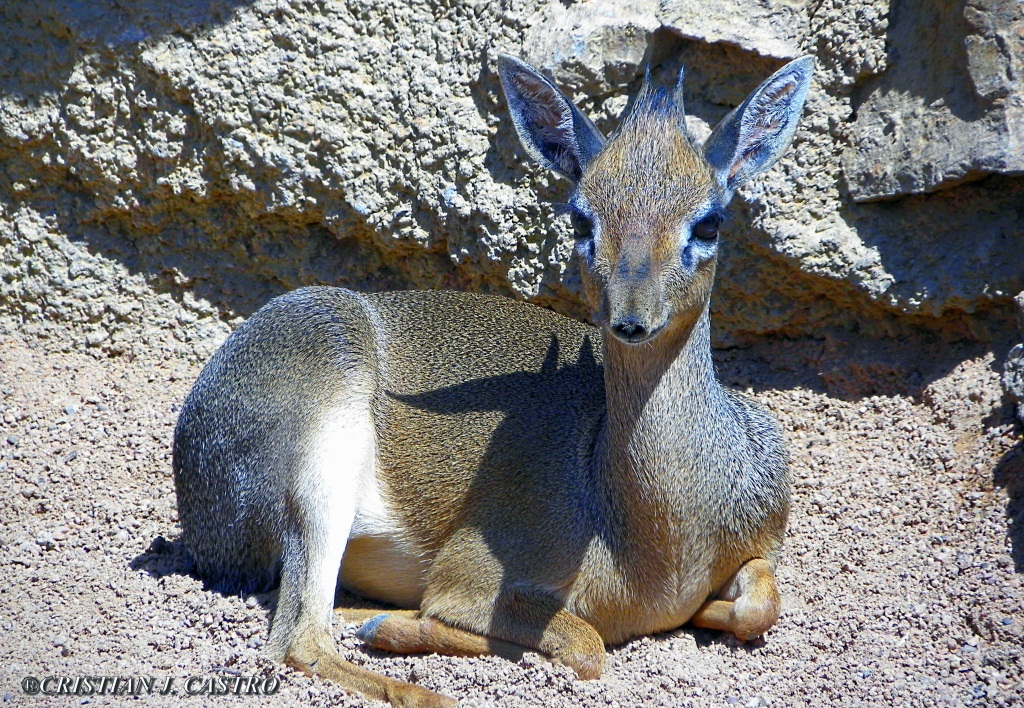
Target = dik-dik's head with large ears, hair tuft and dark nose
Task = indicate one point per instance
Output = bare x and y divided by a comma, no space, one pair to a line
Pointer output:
648,203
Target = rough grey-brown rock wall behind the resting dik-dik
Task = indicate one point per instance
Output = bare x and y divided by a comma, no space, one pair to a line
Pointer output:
168,168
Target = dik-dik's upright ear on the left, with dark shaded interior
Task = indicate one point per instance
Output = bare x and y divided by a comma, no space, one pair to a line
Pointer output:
552,131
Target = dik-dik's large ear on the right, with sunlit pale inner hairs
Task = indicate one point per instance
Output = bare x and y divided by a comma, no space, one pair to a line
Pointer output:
751,139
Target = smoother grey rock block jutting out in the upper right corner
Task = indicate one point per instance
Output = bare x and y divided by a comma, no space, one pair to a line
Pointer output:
952,107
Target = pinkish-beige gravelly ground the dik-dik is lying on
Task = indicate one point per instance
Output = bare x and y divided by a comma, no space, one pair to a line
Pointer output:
902,575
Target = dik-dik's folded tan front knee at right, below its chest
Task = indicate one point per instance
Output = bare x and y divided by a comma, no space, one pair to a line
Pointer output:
749,605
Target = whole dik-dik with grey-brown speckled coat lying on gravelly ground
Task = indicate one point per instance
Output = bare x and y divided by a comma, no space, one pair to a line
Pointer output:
514,479
